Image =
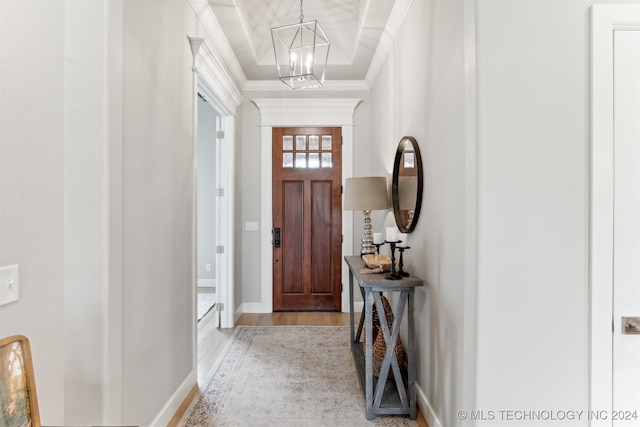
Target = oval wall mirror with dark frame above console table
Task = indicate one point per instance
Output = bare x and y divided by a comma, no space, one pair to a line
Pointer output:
406,187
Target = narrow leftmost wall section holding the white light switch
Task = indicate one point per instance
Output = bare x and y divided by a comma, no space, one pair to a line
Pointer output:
32,135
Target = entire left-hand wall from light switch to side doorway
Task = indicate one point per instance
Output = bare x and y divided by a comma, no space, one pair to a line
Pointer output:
96,187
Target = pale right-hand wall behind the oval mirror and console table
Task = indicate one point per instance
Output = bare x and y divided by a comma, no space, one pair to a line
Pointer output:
420,92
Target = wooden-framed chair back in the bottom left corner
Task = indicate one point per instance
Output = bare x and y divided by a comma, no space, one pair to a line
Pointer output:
18,401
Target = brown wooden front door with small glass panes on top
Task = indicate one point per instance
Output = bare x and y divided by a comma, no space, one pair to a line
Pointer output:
307,219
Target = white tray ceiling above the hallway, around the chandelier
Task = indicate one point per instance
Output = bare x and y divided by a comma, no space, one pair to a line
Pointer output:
355,28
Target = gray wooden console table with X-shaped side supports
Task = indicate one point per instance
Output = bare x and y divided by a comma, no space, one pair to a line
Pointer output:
387,399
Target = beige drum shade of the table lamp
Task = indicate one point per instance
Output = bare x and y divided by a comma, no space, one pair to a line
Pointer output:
366,194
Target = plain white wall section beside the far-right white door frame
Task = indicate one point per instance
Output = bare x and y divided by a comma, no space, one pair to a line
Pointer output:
533,219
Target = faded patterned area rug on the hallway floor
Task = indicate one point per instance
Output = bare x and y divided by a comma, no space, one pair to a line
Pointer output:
285,376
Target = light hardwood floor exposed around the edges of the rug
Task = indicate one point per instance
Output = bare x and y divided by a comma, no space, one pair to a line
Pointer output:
211,342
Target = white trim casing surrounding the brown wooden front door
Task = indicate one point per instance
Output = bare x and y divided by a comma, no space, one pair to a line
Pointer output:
296,113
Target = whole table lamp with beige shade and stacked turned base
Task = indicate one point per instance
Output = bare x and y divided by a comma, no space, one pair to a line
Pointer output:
366,194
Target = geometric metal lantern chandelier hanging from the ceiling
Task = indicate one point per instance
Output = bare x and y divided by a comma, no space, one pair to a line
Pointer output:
301,52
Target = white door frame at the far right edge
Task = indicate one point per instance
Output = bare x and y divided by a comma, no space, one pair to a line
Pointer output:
605,20
